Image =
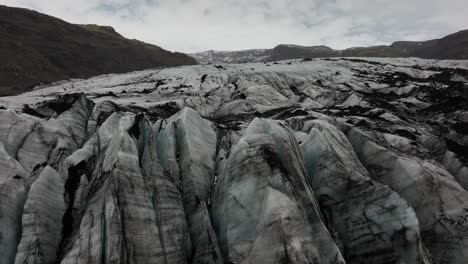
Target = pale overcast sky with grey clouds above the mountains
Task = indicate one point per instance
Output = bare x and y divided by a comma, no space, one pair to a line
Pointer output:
198,25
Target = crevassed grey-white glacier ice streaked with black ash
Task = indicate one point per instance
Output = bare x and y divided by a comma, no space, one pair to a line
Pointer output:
327,161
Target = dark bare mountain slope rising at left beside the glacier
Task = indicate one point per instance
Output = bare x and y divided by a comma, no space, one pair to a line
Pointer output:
37,48
